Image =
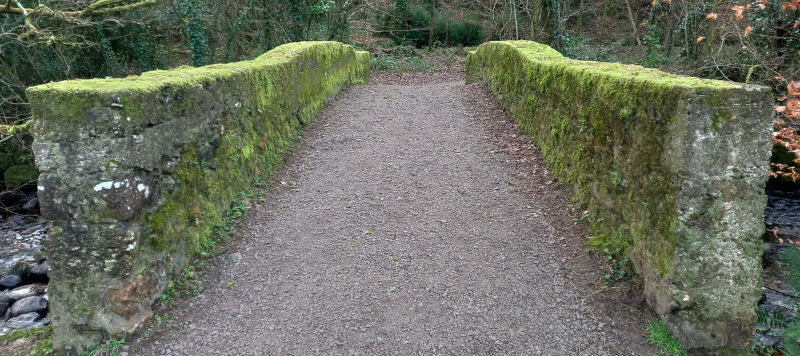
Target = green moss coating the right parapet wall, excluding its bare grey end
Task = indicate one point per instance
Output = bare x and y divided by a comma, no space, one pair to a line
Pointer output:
601,126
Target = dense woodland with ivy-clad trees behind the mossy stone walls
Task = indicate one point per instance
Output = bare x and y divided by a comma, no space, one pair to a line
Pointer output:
53,40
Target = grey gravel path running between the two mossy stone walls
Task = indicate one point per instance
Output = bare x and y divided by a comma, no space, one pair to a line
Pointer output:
402,233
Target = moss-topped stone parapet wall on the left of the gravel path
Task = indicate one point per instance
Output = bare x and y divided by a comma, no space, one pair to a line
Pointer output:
136,172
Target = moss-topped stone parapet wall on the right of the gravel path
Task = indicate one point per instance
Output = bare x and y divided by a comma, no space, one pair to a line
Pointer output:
672,170
